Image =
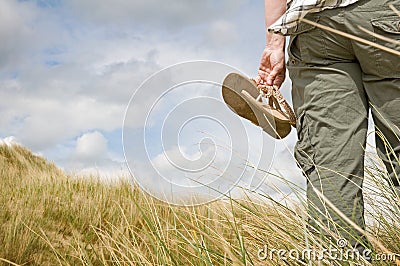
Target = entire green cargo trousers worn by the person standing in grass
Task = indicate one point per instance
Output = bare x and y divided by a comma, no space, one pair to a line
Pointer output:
336,81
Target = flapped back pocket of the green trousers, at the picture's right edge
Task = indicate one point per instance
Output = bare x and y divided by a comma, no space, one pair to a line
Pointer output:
388,64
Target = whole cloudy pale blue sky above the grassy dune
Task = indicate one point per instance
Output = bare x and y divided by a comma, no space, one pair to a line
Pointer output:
74,73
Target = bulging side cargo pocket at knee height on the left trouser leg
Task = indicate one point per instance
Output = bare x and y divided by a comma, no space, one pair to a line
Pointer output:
304,151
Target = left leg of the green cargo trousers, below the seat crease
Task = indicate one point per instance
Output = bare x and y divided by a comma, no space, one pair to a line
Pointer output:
332,124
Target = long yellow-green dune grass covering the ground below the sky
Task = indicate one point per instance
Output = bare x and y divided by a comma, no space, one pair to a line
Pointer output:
49,218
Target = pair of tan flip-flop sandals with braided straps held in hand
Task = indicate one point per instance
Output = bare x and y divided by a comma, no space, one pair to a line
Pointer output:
263,105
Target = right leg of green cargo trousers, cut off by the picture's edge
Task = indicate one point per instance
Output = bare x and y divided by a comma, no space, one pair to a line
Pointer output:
381,76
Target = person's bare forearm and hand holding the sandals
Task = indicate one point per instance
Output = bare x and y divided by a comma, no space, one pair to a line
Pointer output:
272,66
